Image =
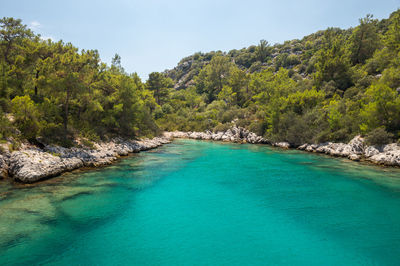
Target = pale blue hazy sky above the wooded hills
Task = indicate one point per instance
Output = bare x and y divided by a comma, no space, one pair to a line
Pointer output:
154,35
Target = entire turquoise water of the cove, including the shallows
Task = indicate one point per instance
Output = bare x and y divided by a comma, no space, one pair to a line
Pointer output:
206,203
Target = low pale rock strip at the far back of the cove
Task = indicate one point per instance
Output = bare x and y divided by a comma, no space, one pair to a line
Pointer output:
234,134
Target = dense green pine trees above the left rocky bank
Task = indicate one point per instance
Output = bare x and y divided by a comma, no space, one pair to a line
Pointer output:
53,90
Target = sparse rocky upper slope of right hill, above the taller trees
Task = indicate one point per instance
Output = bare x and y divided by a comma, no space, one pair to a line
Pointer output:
297,55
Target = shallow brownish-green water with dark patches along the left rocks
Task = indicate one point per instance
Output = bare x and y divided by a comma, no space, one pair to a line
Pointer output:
41,215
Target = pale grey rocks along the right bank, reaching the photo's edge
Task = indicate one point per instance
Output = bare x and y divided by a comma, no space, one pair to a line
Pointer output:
357,150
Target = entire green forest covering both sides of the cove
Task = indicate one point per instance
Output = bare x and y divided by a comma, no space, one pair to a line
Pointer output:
328,86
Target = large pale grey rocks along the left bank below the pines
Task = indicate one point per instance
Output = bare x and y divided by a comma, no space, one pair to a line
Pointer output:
33,164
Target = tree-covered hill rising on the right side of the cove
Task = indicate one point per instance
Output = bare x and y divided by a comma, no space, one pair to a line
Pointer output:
328,86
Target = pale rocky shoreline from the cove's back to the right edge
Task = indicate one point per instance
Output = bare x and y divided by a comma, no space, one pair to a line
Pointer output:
356,149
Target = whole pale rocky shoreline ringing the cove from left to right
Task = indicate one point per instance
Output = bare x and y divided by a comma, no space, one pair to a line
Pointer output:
31,164
